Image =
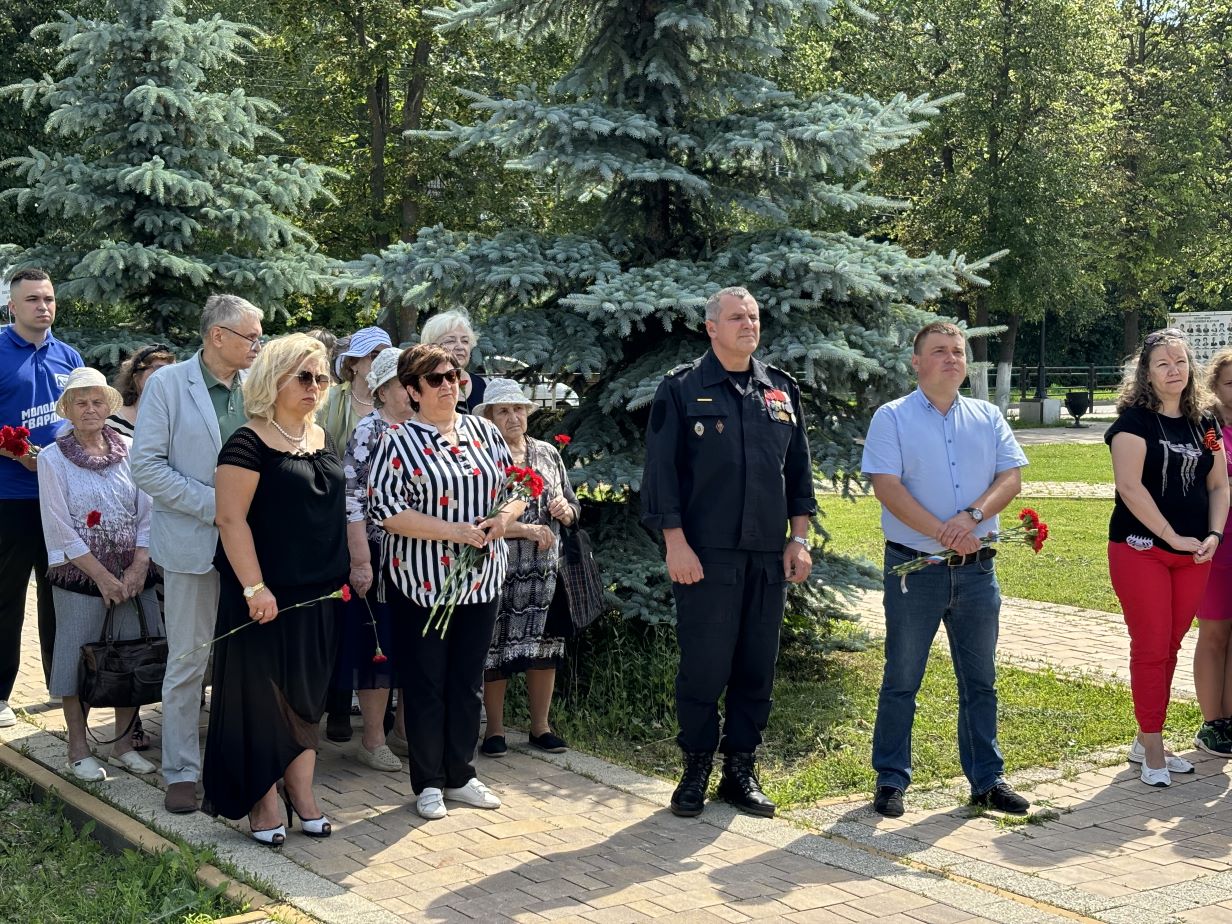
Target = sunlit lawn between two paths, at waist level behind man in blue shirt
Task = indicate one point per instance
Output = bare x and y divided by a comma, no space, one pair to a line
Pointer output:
1072,569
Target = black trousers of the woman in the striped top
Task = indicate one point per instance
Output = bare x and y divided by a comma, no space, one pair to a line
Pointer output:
443,682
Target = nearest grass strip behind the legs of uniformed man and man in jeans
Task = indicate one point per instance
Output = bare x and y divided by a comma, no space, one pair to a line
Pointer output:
820,737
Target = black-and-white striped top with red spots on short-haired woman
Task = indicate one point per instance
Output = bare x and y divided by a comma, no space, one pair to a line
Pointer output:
416,469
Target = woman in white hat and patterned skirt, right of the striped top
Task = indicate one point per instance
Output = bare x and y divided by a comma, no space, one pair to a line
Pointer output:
524,640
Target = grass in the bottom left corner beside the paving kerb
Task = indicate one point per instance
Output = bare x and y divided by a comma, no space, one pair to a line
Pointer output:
52,875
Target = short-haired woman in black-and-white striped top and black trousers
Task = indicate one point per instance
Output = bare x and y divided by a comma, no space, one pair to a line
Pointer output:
432,487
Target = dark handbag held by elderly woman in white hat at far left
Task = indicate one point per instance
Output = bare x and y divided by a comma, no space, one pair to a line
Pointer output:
128,673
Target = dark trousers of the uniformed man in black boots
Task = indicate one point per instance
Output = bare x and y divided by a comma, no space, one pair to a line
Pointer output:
729,631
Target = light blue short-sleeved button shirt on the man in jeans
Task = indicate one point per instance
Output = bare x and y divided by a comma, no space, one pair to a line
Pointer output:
946,461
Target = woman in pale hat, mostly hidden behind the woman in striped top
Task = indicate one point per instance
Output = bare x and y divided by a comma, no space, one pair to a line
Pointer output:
363,663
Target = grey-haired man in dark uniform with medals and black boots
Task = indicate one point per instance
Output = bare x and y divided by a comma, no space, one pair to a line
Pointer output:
726,469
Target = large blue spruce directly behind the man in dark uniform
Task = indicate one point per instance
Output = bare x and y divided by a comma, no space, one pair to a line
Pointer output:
695,172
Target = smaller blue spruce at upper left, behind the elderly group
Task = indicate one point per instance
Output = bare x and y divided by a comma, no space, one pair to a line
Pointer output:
160,195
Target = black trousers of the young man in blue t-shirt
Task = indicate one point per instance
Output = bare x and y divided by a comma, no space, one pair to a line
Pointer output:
22,553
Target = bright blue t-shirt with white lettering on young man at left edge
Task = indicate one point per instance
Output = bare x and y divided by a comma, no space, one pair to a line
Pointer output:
31,383
